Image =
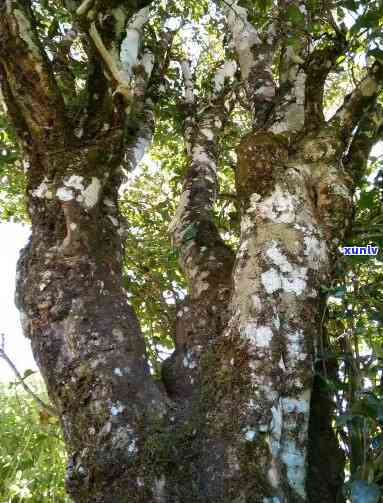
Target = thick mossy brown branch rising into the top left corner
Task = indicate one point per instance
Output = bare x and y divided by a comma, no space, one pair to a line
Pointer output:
29,75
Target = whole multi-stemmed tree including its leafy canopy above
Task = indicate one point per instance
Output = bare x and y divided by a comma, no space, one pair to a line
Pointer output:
235,413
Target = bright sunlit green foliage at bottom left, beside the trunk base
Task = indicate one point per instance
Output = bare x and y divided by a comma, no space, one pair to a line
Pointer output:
32,456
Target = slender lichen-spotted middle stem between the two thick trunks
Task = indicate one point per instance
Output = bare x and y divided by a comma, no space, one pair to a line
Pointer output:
205,258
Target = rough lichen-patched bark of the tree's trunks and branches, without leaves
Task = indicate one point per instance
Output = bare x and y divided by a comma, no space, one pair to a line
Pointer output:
238,414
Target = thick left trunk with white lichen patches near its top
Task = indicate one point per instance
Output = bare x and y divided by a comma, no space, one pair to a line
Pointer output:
85,337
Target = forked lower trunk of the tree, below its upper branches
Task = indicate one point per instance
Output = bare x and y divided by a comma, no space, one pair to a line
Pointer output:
235,427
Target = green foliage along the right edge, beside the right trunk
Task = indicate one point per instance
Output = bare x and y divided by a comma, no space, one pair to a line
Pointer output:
355,306
